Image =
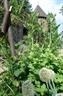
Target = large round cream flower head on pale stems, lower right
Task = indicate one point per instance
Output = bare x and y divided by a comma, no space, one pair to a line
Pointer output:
46,74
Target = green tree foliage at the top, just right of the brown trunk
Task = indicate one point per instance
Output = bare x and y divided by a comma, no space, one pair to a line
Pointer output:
21,9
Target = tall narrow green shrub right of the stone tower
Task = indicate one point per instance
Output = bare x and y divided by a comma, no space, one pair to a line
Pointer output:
53,35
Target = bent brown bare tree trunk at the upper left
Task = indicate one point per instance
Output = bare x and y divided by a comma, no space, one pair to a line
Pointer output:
6,26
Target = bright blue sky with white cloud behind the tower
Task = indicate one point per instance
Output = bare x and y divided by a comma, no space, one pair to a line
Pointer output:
53,6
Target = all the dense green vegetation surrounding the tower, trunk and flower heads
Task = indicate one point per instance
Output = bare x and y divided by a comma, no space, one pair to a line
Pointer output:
33,53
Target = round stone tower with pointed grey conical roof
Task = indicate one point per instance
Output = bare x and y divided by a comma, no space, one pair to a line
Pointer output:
42,18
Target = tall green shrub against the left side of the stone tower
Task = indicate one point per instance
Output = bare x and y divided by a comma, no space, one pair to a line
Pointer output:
35,33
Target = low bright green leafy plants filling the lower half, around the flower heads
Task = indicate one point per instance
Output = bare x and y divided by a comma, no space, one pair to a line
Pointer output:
27,66
